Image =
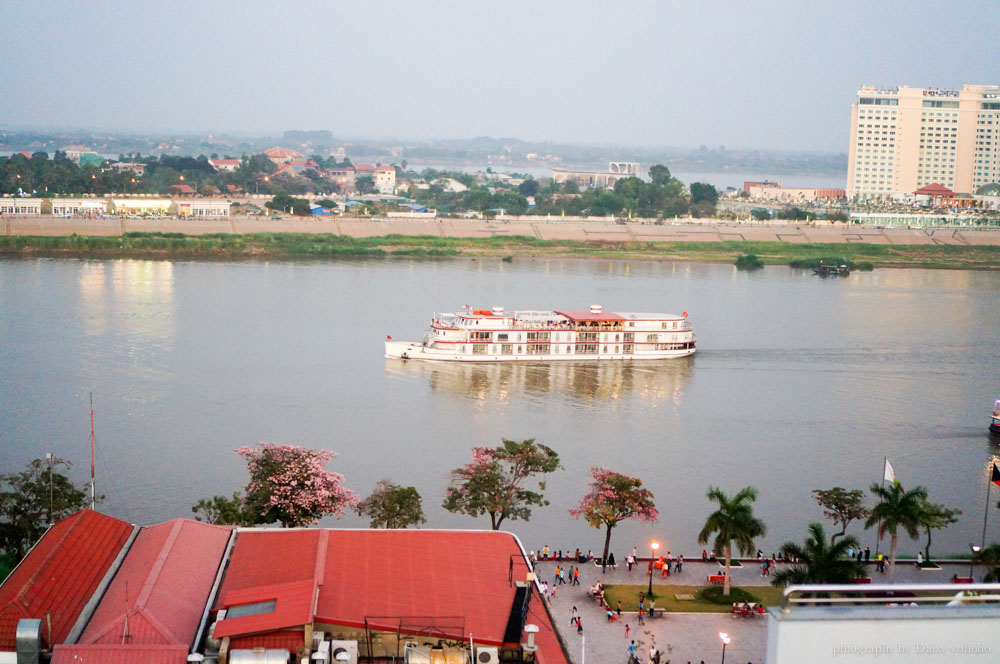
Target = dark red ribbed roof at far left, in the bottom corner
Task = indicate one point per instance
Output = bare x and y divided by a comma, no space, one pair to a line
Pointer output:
60,574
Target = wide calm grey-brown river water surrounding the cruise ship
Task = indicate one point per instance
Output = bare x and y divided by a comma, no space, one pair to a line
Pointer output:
799,383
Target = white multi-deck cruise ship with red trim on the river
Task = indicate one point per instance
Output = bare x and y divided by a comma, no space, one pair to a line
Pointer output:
491,335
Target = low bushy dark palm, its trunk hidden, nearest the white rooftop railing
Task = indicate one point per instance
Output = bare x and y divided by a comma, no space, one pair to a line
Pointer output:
817,561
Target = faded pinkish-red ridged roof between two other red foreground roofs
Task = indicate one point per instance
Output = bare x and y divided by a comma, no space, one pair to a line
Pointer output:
164,581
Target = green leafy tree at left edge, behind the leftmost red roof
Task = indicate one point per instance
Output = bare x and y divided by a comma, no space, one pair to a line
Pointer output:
32,500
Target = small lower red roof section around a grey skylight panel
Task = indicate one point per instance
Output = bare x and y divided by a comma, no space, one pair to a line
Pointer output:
293,608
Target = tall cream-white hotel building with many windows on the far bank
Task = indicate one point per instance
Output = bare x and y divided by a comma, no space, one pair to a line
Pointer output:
906,138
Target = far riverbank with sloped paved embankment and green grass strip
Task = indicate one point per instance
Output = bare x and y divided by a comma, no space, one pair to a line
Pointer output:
293,237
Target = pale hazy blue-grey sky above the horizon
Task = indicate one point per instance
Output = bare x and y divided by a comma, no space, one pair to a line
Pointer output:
763,74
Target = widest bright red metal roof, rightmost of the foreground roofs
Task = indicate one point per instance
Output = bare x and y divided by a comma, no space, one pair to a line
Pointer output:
366,573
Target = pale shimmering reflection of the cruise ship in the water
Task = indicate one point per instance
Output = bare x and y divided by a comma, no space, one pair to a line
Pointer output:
647,382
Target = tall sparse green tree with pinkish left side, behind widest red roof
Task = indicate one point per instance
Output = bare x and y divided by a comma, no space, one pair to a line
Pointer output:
493,483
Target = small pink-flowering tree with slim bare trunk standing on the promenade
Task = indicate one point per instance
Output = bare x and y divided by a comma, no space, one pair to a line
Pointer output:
613,498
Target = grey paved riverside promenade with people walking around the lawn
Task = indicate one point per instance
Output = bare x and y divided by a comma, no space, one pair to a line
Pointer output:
680,637
